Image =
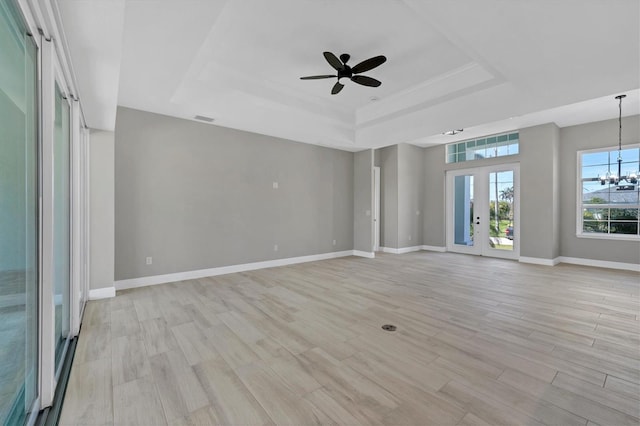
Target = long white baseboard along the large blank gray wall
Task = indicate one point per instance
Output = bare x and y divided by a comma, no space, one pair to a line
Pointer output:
222,270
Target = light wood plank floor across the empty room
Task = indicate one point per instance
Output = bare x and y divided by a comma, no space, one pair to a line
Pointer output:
479,341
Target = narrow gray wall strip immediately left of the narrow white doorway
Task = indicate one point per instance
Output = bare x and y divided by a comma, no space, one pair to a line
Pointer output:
363,201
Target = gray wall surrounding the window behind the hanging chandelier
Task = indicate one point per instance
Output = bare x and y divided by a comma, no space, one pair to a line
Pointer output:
600,134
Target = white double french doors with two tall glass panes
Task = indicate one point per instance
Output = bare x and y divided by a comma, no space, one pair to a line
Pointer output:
483,211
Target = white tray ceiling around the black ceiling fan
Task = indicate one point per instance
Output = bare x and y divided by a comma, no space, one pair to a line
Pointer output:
482,65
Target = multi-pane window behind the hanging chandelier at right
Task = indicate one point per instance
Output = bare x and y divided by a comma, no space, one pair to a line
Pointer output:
608,205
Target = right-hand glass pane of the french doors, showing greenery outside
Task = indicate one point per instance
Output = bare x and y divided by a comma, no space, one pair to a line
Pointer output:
501,230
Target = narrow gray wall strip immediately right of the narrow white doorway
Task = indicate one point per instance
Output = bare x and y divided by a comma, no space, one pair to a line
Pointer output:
389,196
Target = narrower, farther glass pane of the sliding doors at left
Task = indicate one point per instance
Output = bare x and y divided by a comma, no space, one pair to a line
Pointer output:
61,225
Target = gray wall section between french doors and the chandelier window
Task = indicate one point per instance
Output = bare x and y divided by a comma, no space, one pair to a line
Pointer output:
539,203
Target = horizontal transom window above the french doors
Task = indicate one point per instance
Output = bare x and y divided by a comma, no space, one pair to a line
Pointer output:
486,147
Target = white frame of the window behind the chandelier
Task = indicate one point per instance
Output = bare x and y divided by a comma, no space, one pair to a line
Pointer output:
580,205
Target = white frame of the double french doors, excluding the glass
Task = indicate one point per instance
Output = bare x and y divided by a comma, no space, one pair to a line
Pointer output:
481,207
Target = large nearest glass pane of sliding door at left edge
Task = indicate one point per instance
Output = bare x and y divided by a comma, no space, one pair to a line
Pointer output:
18,219
